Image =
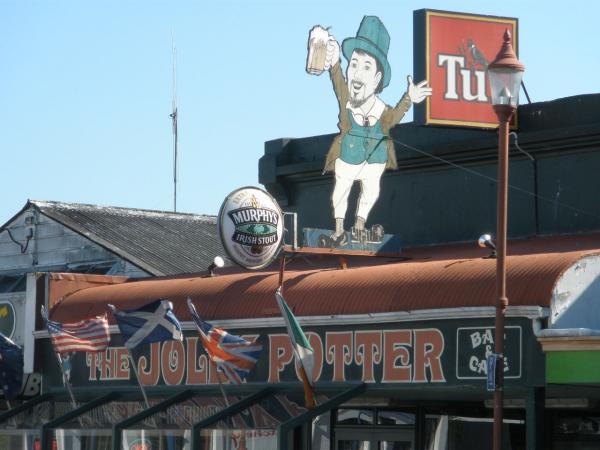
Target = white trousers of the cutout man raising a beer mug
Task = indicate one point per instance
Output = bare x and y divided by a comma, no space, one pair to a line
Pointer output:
346,174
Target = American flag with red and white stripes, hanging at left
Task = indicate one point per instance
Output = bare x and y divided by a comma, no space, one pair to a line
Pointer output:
89,335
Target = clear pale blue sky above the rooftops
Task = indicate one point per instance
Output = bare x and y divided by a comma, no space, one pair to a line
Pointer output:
85,88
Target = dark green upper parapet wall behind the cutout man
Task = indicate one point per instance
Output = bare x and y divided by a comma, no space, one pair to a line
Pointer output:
429,201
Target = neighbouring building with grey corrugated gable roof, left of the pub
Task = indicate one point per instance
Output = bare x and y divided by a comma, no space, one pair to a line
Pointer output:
48,236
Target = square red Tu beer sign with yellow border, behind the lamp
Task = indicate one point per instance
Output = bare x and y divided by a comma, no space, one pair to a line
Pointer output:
455,51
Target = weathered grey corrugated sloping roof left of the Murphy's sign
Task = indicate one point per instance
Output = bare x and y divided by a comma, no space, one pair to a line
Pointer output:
159,242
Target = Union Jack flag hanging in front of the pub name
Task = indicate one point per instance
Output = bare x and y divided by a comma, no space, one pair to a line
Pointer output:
235,356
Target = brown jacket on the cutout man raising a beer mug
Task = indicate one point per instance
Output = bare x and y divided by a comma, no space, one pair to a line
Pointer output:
389,118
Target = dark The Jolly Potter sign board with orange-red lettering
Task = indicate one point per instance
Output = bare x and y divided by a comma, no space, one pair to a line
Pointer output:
407,353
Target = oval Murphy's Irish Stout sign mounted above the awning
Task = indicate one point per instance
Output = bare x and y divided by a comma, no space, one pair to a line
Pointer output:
251,227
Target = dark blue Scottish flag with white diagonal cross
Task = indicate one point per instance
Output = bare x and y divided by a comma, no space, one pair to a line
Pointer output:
154,322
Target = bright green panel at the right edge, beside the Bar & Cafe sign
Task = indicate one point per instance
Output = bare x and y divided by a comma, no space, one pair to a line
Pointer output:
573,367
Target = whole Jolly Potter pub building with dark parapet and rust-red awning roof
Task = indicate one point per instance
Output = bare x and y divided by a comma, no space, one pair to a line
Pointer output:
400,341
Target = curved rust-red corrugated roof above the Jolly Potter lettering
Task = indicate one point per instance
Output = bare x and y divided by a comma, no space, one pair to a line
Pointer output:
435,277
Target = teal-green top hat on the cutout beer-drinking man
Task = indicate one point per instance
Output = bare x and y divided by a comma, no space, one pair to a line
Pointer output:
372,38
